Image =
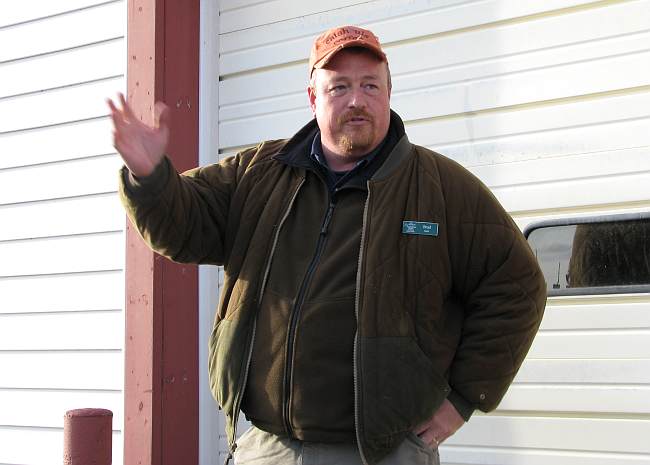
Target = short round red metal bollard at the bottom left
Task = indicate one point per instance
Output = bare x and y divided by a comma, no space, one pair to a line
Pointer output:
87,437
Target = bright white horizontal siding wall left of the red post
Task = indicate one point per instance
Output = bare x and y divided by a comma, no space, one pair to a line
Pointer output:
61,225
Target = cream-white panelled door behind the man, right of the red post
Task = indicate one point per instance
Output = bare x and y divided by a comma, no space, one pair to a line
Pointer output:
548,103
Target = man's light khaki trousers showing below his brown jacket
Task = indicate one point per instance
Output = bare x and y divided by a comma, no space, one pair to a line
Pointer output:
257,447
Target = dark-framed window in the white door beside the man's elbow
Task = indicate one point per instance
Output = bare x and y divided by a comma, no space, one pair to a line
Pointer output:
602,255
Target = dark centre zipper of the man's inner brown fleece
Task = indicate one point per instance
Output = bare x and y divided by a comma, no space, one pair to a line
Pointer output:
295,315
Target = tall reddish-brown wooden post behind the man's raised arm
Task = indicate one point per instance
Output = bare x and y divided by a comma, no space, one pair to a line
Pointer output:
161,366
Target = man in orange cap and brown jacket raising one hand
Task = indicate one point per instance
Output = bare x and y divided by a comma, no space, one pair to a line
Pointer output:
375,292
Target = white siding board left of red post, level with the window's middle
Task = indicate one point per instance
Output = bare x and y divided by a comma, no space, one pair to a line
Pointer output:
72,254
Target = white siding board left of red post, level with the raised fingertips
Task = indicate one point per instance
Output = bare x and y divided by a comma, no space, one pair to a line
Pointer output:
58,106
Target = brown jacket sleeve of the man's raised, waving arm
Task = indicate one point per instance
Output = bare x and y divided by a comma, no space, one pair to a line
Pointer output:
182,216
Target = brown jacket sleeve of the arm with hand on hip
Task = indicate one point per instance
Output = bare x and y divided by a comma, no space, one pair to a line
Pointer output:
503,292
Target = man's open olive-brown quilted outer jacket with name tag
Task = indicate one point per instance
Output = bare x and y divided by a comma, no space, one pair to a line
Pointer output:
444,315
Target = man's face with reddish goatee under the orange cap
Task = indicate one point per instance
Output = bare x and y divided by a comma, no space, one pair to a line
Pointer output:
351,103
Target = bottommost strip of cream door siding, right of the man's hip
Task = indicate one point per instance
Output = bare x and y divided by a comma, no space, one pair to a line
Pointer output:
467,455
